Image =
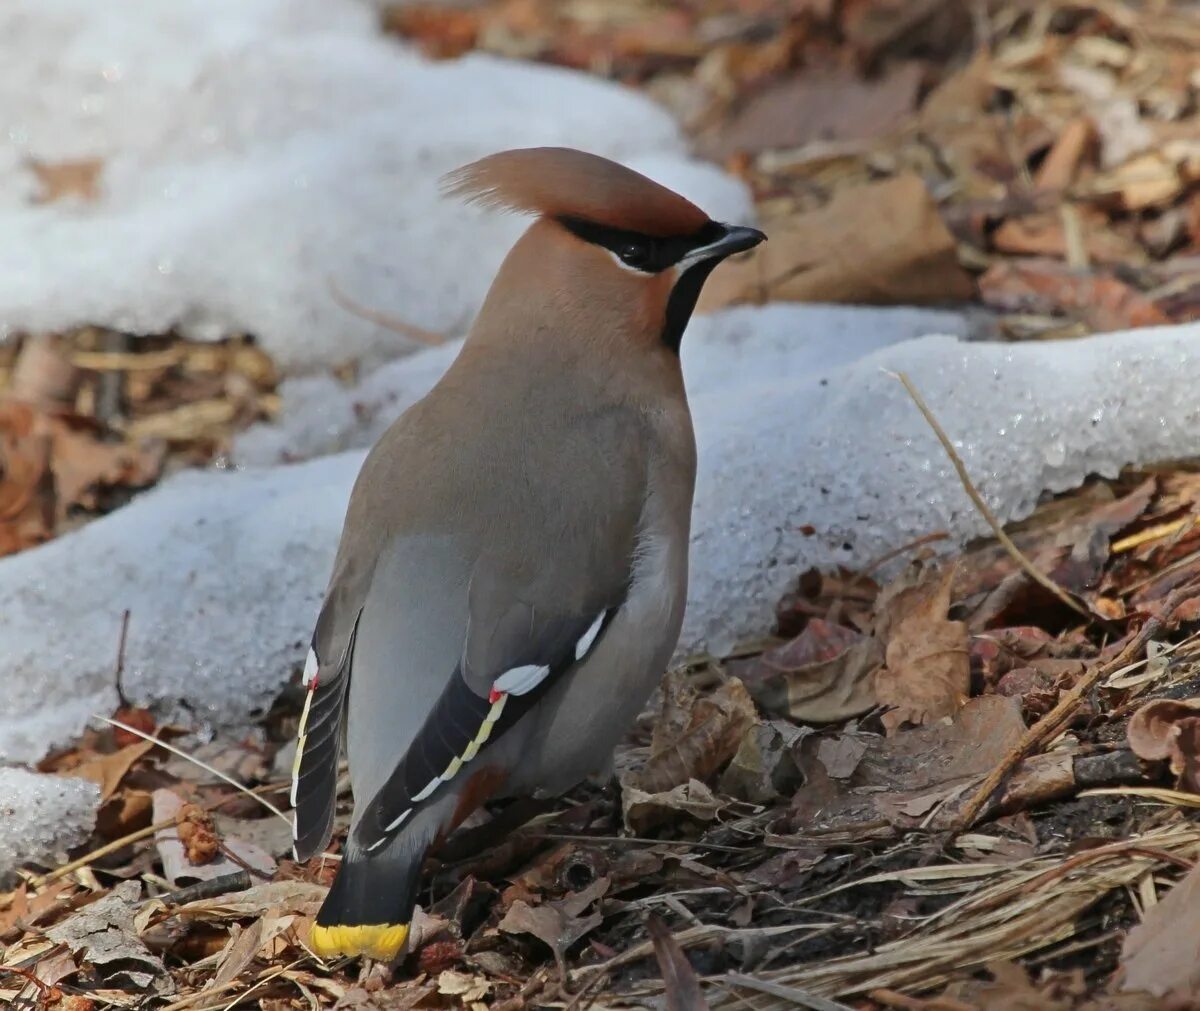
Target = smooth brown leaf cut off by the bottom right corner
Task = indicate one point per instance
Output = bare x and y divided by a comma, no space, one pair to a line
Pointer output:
1162,954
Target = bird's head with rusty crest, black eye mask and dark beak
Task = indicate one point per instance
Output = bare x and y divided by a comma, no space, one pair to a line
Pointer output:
610,247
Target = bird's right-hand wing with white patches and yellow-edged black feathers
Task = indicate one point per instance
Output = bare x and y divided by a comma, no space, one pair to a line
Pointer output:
514,651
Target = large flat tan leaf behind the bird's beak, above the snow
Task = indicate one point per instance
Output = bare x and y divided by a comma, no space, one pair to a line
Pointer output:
883,244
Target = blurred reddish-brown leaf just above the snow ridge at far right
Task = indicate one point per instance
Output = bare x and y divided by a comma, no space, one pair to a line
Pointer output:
1103,302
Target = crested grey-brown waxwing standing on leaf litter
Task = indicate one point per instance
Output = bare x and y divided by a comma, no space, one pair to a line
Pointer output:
512,576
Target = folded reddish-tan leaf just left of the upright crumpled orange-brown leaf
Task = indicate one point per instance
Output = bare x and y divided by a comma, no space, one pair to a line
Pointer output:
825,675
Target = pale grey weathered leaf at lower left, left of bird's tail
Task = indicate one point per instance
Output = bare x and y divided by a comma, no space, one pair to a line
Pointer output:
104,935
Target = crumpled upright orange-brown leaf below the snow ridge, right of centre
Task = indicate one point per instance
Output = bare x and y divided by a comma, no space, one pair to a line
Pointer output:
928,668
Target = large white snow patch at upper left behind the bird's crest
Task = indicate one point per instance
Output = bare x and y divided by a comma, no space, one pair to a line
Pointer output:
259,154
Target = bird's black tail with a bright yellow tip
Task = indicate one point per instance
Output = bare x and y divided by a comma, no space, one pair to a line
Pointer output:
370,906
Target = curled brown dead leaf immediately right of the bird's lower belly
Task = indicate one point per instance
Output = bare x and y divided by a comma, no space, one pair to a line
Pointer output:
712,729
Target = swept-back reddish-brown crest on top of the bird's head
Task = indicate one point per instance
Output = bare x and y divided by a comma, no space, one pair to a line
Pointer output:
565,183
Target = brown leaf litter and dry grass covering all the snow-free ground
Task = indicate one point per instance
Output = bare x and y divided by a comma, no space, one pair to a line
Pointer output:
809,821
